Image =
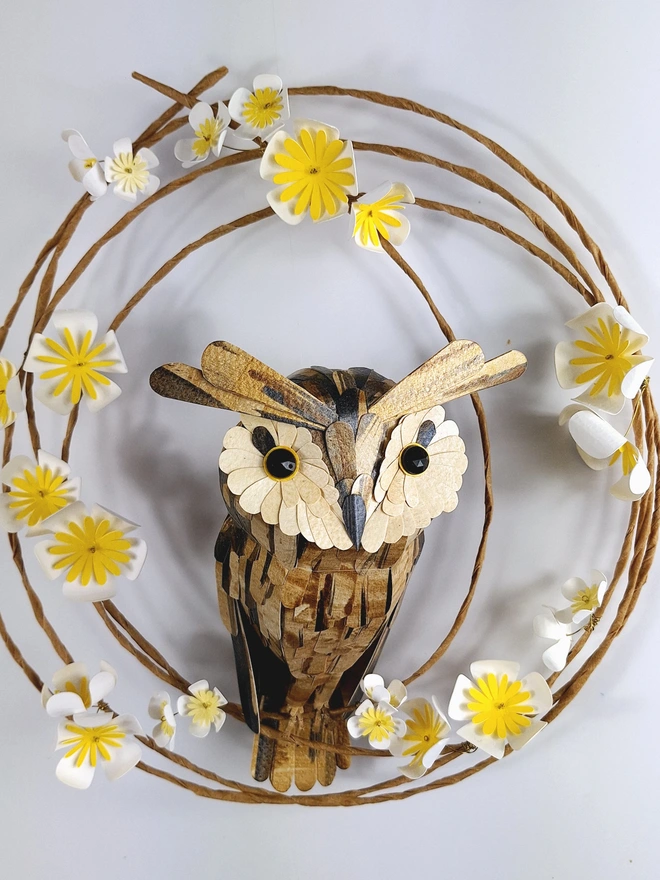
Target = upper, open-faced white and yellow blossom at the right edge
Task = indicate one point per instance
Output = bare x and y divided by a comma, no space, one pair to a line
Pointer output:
605,358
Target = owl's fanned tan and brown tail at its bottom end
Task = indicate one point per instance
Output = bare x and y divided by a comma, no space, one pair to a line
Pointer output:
285,760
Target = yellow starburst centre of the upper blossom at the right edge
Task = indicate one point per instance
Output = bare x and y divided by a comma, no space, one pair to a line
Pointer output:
609,356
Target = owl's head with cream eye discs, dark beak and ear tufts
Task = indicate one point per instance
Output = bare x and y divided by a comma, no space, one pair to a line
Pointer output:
342,457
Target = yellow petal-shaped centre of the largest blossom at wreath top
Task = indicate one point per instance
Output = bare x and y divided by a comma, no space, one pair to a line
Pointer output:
316,178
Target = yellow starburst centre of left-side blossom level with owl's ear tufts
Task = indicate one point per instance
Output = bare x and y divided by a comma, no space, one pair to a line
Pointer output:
77,366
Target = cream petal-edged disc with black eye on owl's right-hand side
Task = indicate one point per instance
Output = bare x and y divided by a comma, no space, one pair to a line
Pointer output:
419,479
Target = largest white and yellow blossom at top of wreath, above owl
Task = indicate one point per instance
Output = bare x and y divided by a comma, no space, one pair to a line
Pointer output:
313,171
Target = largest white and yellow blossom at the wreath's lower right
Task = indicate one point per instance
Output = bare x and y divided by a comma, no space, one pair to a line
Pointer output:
499,707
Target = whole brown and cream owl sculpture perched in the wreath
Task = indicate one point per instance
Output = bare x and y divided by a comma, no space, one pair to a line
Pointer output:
330,479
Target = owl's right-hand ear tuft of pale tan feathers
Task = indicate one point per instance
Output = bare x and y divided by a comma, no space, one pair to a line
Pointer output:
456,370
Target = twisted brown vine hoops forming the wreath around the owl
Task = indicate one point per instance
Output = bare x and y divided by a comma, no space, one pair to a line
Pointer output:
641,535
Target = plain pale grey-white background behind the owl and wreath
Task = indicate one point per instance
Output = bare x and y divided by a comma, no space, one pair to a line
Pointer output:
571,89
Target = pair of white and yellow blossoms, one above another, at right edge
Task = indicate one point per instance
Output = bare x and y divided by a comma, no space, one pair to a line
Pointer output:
606,361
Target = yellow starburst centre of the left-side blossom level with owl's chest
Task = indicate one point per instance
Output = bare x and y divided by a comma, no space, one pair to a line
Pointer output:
91,552
